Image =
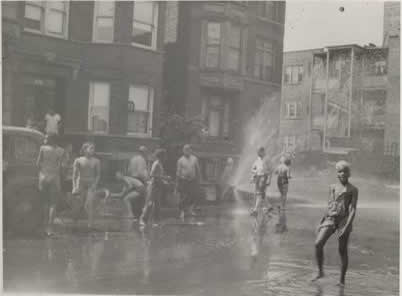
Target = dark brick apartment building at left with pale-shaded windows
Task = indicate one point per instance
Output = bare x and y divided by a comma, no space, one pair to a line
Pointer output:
98,64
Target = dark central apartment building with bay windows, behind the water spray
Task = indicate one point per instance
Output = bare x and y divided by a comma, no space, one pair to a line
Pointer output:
228,57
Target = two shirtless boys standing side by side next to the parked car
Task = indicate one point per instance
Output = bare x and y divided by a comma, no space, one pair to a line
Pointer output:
59,172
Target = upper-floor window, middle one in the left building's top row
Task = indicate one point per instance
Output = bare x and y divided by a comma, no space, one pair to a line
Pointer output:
103,21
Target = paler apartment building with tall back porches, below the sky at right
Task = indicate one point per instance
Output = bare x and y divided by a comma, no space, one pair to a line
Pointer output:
343,98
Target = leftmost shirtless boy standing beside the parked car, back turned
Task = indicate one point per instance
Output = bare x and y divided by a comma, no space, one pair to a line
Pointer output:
49,162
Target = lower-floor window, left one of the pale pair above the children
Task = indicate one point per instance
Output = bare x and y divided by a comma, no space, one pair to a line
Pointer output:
98,111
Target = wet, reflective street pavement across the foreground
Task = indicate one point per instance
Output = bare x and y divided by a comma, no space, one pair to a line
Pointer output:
210,255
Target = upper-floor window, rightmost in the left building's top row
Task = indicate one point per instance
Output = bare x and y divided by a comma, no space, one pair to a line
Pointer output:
145,23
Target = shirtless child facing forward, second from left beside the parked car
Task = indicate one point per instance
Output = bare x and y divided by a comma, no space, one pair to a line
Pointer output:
86,175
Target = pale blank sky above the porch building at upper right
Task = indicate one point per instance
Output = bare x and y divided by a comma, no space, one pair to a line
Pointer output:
315,24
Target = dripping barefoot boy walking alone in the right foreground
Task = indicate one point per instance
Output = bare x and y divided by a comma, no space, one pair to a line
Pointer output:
339,218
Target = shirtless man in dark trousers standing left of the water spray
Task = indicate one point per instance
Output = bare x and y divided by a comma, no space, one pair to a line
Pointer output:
188,180
